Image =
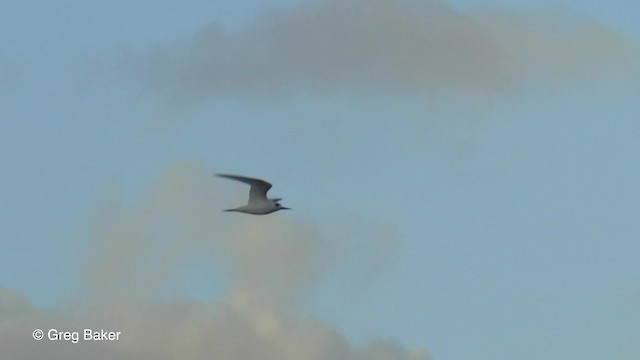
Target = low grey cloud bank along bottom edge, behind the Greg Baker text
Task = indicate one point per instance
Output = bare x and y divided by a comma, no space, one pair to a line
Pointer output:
189,331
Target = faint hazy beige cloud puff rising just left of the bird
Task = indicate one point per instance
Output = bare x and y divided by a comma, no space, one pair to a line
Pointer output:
148,240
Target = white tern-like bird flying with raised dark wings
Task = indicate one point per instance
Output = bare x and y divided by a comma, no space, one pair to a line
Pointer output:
258,203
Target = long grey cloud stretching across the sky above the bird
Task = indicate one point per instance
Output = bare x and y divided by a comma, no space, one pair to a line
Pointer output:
381,47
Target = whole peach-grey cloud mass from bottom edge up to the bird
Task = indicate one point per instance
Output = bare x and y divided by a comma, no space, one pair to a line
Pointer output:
136,249
